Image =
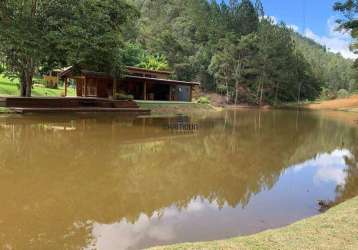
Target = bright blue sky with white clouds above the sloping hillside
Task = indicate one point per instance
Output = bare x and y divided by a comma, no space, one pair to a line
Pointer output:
312,18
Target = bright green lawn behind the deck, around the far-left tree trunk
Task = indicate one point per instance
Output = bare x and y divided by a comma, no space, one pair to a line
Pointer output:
10,88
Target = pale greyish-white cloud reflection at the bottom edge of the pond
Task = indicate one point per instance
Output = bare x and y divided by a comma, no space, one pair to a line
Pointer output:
161,227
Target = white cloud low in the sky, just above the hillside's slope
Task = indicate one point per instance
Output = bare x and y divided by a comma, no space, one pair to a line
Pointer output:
335,41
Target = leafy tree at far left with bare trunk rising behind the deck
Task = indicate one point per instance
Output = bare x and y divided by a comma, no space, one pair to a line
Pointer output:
22,29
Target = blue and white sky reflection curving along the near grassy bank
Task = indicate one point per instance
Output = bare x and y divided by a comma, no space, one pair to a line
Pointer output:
293,197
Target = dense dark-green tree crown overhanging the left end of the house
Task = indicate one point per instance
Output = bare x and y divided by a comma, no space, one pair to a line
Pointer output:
88,34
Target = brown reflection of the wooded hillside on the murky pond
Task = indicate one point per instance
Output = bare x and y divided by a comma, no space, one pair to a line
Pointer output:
60,172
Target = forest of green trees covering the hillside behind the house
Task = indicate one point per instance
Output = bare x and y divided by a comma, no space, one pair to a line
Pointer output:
232,48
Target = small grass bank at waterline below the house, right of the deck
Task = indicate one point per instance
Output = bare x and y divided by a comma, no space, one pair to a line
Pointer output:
172,108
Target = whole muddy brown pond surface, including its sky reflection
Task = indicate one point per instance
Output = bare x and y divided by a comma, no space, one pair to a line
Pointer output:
109,182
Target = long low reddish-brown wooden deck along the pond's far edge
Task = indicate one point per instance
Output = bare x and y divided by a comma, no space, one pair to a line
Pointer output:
70,104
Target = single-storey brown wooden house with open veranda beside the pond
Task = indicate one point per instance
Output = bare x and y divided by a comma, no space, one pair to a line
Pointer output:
142,84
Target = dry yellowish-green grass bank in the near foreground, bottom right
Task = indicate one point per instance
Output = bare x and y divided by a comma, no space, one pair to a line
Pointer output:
335,229
